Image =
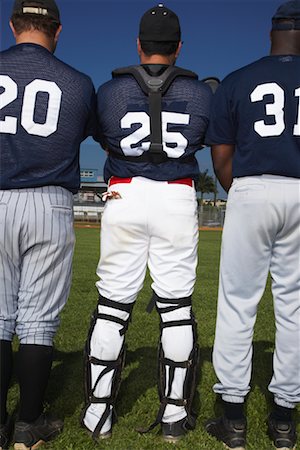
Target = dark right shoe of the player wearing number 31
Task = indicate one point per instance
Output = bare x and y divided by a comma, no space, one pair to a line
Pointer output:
283,434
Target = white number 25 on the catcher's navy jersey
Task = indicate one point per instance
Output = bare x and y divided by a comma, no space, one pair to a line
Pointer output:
142,118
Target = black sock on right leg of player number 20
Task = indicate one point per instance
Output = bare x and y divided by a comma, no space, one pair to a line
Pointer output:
33,368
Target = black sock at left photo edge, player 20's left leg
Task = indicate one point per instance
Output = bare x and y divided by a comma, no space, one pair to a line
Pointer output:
5,376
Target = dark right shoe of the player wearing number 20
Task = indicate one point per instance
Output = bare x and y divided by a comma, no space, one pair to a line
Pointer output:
30,436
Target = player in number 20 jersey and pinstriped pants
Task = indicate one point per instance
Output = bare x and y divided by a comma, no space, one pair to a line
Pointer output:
47,109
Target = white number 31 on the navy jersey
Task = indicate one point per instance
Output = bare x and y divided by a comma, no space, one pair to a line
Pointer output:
274,109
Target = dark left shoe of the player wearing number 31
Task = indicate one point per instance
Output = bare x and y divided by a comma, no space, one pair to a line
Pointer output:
231,432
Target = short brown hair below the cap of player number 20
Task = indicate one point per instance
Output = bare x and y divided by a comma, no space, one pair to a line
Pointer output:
27,22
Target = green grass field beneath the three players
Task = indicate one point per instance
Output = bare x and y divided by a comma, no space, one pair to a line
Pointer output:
138,401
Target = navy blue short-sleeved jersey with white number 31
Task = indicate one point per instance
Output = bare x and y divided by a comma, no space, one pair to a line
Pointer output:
257,109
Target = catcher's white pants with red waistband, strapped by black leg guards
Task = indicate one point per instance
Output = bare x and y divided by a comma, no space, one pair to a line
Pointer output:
154,223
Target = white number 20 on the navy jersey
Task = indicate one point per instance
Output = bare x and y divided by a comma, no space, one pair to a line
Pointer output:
10,93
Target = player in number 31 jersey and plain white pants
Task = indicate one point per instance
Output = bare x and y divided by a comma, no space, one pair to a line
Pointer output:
255,137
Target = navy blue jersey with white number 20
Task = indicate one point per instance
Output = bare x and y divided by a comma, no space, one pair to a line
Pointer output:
47,109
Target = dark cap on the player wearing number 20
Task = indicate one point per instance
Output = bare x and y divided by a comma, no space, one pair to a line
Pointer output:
47,8
